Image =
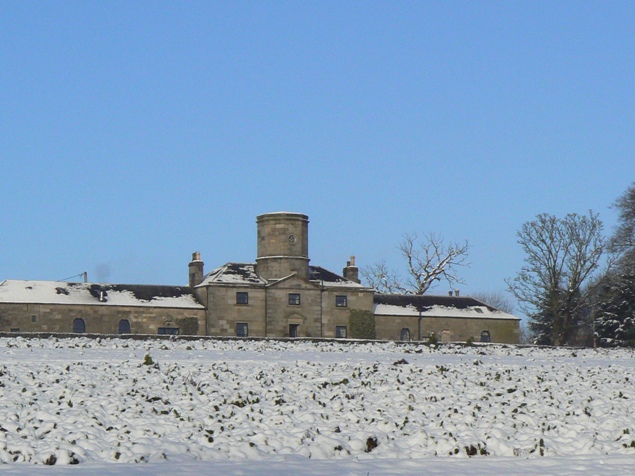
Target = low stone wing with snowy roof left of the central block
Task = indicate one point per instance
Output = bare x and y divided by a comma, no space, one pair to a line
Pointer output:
52,306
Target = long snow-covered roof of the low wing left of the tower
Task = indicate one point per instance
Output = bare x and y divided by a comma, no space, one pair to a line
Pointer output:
57,292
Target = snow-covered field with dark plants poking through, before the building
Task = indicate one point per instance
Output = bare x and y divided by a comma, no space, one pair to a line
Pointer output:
118,406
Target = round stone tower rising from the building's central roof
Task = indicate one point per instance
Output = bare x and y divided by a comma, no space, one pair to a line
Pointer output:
283,245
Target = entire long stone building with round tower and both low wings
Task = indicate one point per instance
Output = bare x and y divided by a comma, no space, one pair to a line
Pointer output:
280,295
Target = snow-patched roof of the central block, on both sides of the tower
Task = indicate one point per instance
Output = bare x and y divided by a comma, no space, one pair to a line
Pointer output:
245,274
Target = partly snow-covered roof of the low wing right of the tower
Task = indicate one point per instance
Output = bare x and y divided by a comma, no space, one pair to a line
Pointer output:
436,306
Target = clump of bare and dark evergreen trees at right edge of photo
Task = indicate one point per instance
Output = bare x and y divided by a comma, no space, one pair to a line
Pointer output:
577,285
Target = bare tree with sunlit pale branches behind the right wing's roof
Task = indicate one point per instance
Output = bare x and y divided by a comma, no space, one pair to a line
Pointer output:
428,260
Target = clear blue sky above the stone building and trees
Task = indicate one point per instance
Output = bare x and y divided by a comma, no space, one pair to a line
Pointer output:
134,133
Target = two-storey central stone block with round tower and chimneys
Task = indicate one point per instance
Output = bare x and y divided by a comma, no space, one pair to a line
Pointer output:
280,295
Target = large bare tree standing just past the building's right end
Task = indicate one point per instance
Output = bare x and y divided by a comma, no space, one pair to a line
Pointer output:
561,257
